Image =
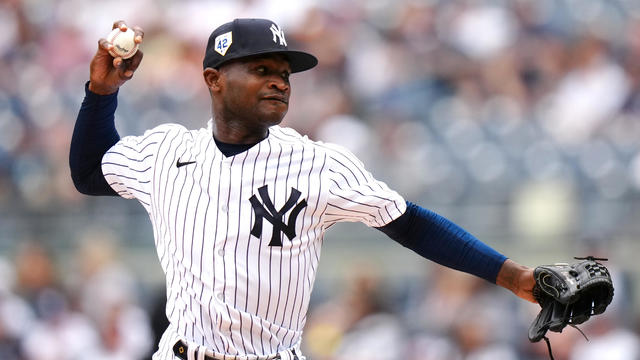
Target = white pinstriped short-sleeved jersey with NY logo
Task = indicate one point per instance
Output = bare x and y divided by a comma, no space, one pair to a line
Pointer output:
239,237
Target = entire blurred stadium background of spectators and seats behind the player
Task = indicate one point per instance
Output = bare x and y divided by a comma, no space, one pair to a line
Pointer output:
519,120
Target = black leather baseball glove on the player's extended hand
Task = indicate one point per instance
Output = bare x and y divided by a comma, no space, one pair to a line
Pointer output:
569,295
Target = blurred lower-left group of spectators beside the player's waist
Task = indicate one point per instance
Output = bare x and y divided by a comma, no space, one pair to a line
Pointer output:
90,308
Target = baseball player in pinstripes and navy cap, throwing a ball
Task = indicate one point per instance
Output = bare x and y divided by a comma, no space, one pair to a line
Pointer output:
239,208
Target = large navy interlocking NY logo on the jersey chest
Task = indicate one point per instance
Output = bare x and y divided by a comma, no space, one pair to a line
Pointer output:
268,211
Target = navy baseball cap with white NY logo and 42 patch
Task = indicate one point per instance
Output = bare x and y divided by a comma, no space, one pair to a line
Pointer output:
246,37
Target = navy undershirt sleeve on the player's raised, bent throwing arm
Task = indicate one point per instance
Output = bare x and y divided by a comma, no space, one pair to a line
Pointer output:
94,133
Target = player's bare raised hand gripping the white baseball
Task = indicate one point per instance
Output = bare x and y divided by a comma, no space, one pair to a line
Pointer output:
108,73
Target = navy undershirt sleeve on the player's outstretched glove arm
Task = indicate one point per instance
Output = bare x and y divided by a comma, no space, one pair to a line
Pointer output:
438,239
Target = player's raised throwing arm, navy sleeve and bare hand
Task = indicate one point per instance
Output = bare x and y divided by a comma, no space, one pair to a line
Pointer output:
94,132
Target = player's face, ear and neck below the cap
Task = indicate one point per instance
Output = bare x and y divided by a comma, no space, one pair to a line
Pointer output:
248,96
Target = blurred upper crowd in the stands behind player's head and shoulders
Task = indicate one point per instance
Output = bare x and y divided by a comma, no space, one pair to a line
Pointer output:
462,96
